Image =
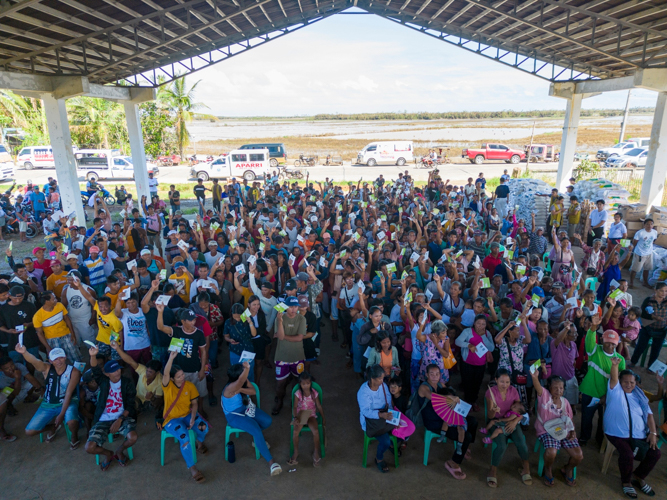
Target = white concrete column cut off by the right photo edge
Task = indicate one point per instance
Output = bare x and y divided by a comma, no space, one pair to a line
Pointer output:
656,162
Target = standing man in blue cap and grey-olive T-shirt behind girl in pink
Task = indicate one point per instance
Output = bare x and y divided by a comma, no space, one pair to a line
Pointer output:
290,356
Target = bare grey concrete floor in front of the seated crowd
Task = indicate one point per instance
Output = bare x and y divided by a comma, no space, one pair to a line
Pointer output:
32,470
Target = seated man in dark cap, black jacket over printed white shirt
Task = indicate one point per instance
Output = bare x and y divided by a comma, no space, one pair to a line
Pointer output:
115,413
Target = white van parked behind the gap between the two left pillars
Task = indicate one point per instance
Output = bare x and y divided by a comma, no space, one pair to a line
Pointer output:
94,164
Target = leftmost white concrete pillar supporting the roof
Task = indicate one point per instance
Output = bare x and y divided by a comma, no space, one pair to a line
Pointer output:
61,142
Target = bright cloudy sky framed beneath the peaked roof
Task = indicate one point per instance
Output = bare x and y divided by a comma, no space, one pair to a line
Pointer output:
366,64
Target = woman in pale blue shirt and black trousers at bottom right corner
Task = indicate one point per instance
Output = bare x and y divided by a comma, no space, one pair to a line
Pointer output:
630,428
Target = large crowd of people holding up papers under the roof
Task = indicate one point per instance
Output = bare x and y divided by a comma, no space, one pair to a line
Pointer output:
104,323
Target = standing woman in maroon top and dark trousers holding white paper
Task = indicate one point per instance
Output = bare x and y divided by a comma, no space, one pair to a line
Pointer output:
475,343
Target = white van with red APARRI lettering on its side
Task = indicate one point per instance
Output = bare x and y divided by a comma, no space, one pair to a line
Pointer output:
246,163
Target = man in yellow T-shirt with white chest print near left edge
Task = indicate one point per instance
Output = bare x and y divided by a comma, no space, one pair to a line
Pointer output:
54,327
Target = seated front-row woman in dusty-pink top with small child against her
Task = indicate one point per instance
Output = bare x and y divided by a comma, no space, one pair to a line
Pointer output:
499,401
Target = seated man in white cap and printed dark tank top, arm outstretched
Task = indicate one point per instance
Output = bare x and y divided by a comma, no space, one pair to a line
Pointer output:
61,402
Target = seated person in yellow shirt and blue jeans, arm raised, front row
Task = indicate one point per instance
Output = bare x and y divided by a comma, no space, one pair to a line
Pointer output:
180,413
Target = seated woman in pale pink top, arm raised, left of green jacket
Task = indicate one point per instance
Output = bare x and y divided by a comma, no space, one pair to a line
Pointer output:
551,405
